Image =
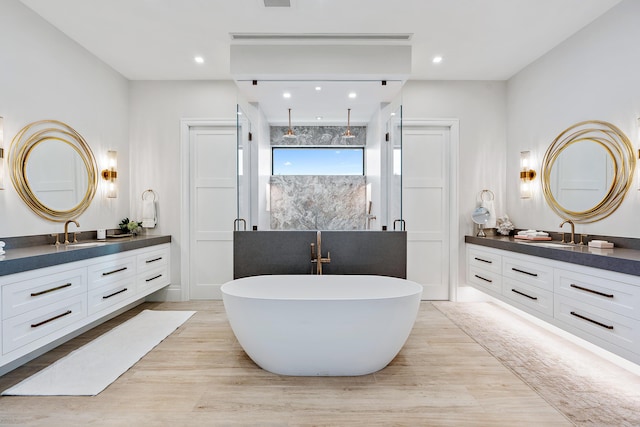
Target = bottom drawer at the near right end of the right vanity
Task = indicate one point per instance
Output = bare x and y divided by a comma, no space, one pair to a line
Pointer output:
608,326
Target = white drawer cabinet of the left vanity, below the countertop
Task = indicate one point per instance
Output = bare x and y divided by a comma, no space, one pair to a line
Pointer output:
47,305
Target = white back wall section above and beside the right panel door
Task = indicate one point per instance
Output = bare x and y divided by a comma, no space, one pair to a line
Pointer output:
480,108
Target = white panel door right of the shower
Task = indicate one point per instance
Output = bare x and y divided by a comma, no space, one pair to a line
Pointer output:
425,207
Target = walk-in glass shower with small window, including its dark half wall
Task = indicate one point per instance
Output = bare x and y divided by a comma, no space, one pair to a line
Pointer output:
319,156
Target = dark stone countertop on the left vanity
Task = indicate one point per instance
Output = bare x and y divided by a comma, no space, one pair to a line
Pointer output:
19,259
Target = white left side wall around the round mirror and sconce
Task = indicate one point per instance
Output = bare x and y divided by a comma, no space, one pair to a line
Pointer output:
45,75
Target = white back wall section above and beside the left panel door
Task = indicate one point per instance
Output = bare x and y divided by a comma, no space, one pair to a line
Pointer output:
156,109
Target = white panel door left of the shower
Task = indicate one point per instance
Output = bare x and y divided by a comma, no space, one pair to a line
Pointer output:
212,207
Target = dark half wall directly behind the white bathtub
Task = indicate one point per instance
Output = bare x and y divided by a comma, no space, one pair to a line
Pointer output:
382,253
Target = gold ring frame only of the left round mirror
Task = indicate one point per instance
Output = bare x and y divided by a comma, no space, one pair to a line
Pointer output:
22,146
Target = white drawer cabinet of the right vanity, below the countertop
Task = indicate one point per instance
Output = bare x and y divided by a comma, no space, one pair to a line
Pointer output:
600,306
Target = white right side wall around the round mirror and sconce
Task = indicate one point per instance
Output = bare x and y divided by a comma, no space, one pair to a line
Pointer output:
591,76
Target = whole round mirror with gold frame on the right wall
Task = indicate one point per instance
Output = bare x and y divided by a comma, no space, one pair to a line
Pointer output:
587,171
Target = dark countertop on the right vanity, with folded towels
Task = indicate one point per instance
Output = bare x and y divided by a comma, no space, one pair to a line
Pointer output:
621,260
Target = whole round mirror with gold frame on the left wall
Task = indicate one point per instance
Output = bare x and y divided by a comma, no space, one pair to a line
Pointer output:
53,170
